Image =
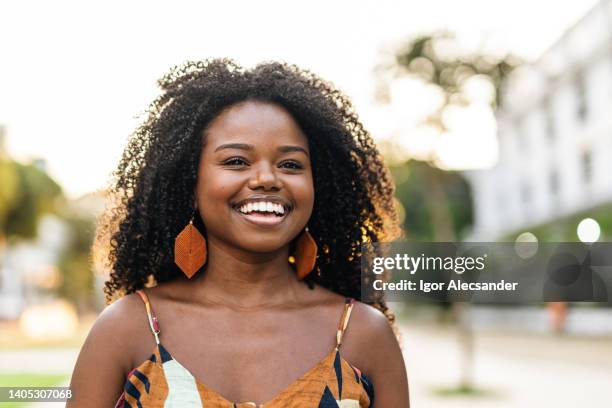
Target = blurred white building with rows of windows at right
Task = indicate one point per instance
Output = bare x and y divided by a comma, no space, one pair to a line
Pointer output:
555,135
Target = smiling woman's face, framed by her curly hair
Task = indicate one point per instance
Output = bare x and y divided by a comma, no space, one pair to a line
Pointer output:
255,188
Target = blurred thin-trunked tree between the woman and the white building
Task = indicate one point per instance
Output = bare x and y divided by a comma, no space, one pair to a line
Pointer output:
436,203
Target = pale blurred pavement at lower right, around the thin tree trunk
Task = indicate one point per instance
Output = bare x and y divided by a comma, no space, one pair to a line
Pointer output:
518,370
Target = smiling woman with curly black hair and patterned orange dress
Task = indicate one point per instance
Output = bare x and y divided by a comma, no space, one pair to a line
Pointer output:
243,199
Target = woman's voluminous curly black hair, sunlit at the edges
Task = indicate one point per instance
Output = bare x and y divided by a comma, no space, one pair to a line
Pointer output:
152,188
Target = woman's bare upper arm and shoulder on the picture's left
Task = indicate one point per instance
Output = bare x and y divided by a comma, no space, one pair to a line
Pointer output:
108,353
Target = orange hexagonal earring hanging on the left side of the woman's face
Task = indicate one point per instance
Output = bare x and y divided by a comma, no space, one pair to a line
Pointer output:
190,250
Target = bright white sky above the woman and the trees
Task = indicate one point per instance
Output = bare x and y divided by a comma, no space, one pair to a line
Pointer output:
75,75
